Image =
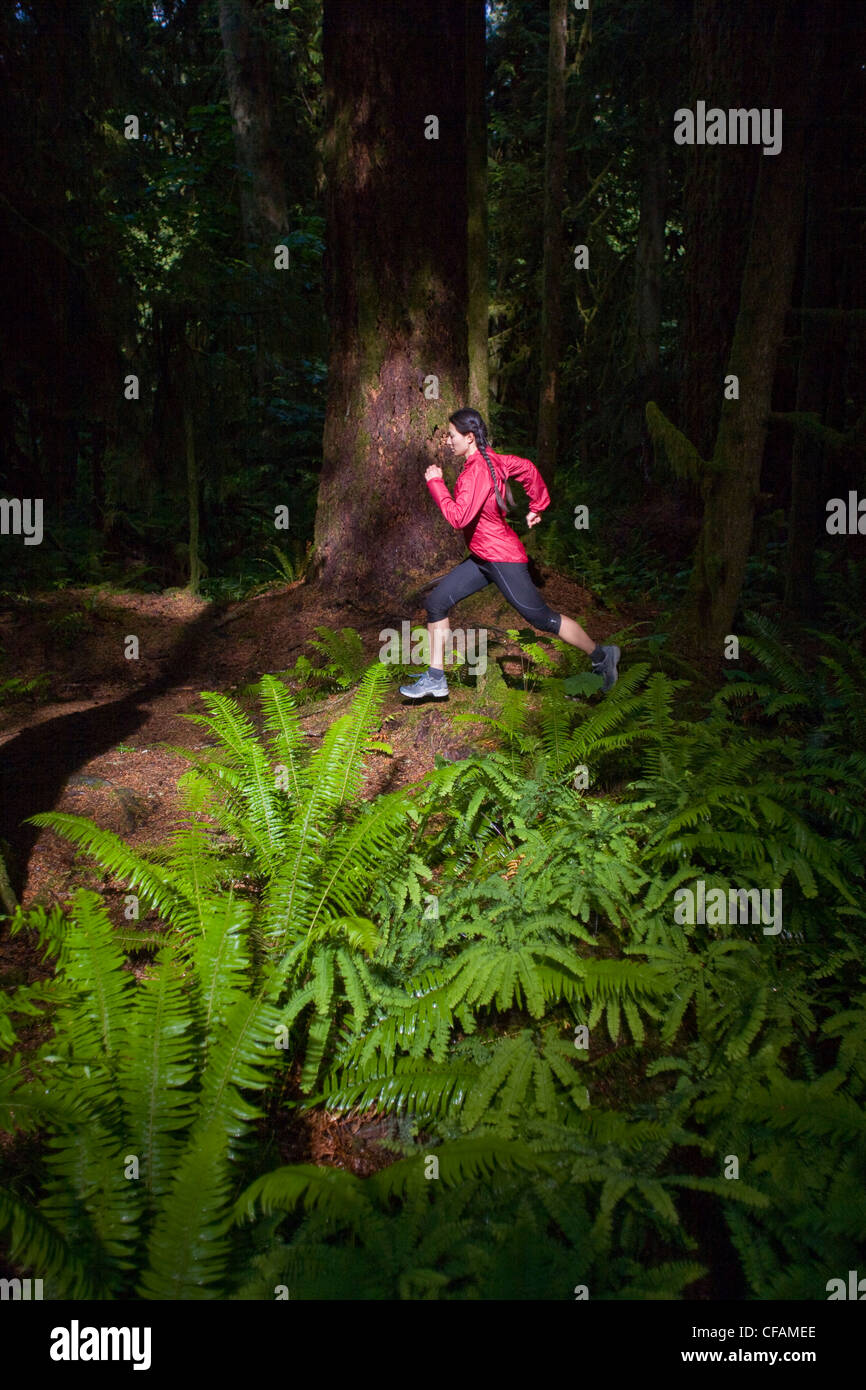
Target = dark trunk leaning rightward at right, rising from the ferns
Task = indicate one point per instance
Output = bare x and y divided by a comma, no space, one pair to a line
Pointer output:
735,482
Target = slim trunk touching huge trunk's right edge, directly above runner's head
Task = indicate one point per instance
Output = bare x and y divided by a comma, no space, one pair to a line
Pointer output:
476,138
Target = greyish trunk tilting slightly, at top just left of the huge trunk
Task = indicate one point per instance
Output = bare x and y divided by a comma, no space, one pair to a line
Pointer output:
263,199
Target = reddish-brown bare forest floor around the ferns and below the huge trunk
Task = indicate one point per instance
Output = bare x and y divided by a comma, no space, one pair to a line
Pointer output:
97,737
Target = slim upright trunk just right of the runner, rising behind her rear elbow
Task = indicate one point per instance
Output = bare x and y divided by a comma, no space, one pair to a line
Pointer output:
553,262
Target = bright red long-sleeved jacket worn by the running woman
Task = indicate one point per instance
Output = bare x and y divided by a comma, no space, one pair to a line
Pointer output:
475,508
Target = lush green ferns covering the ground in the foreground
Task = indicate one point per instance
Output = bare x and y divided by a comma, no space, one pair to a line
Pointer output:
583,1079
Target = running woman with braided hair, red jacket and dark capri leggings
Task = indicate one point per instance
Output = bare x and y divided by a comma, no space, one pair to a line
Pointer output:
497,557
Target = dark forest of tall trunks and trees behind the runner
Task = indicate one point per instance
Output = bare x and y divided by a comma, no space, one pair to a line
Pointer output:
155,258
